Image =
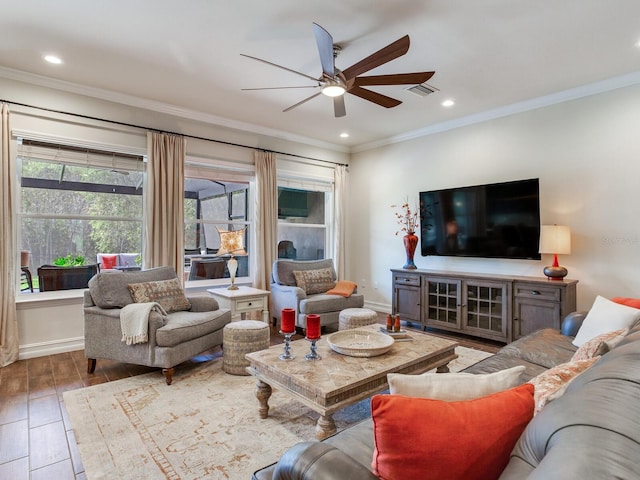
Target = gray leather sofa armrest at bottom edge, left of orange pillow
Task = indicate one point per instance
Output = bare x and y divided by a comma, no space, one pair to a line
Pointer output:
319,461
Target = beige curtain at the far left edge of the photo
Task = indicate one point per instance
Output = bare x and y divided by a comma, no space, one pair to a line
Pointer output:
9,344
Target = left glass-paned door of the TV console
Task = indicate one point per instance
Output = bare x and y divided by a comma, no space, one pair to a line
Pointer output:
443,301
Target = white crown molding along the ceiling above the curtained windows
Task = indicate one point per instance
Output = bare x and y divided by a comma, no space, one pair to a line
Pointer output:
164,108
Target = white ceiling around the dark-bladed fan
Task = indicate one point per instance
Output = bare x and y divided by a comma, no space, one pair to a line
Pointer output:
487,55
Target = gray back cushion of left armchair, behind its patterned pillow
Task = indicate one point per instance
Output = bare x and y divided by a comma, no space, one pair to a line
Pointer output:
109,289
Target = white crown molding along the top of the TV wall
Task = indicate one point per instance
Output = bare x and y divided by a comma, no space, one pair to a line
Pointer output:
596,88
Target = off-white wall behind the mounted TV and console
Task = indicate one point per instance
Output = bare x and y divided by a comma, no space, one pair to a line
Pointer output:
586,154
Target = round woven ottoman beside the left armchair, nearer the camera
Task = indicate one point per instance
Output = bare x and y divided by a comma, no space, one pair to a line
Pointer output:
240,338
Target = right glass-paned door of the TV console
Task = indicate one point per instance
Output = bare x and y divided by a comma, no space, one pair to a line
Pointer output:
485,309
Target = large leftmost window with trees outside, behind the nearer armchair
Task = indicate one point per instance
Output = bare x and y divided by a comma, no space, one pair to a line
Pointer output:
78,203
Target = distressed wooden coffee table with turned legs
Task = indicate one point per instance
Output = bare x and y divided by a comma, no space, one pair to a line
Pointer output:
337,381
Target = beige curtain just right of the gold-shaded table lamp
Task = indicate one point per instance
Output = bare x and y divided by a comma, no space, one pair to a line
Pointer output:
266,217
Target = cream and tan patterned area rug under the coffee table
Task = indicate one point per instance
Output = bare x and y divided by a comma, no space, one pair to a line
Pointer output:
204,425
